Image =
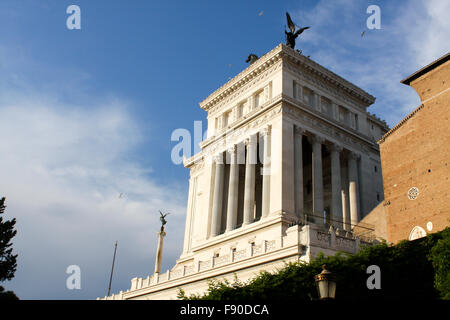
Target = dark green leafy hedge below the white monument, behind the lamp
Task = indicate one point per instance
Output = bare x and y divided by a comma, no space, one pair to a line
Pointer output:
411,269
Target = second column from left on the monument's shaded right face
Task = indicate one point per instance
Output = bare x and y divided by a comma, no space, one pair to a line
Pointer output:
317,175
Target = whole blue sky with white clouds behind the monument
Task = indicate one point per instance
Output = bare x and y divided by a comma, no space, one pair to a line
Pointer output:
88,114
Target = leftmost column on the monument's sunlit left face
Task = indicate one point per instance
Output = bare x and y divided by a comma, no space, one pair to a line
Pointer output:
218,196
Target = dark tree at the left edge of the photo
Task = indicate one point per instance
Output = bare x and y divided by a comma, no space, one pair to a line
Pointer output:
8,260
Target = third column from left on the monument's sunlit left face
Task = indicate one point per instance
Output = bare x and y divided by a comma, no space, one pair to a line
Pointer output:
249,193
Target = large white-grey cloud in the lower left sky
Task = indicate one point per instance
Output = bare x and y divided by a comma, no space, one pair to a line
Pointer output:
62,170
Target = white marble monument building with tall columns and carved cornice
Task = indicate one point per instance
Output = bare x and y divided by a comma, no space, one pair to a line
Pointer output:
289,166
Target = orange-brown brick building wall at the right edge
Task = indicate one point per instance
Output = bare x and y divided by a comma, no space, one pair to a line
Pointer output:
415,158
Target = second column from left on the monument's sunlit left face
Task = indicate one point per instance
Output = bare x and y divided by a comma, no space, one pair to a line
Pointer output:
233,189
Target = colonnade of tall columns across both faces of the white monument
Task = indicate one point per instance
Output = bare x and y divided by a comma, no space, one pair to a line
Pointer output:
344,198
